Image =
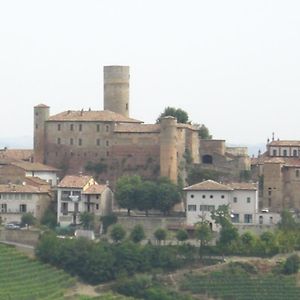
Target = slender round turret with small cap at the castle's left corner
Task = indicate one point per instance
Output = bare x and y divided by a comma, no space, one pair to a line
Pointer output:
41,114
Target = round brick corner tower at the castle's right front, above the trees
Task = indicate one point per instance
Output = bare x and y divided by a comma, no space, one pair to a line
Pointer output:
168,148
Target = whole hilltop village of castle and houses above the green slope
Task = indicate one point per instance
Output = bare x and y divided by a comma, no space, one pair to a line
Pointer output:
79,156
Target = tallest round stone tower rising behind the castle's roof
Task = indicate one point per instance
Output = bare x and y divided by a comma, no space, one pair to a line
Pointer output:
116,89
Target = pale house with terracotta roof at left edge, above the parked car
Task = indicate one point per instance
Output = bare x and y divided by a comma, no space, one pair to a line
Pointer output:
15,200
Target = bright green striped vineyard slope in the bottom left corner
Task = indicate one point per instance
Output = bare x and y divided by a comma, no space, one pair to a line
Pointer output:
22,278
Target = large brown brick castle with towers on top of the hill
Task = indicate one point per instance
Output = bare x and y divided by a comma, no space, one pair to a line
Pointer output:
109,143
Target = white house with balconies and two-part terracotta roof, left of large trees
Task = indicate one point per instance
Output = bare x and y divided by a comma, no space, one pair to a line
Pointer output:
78,194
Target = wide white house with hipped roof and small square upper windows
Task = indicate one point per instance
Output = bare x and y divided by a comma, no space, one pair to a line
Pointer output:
207,196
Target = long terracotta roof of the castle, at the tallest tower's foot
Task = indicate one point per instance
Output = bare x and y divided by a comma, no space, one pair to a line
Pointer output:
87,116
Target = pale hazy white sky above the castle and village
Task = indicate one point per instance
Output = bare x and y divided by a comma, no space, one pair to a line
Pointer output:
232,65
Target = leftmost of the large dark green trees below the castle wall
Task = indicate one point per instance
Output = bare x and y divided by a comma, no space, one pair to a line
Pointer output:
128,192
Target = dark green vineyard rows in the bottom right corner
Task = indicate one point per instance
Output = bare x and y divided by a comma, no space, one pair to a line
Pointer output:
237,284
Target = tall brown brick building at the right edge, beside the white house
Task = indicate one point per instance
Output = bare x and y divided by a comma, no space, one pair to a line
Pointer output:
279,172
